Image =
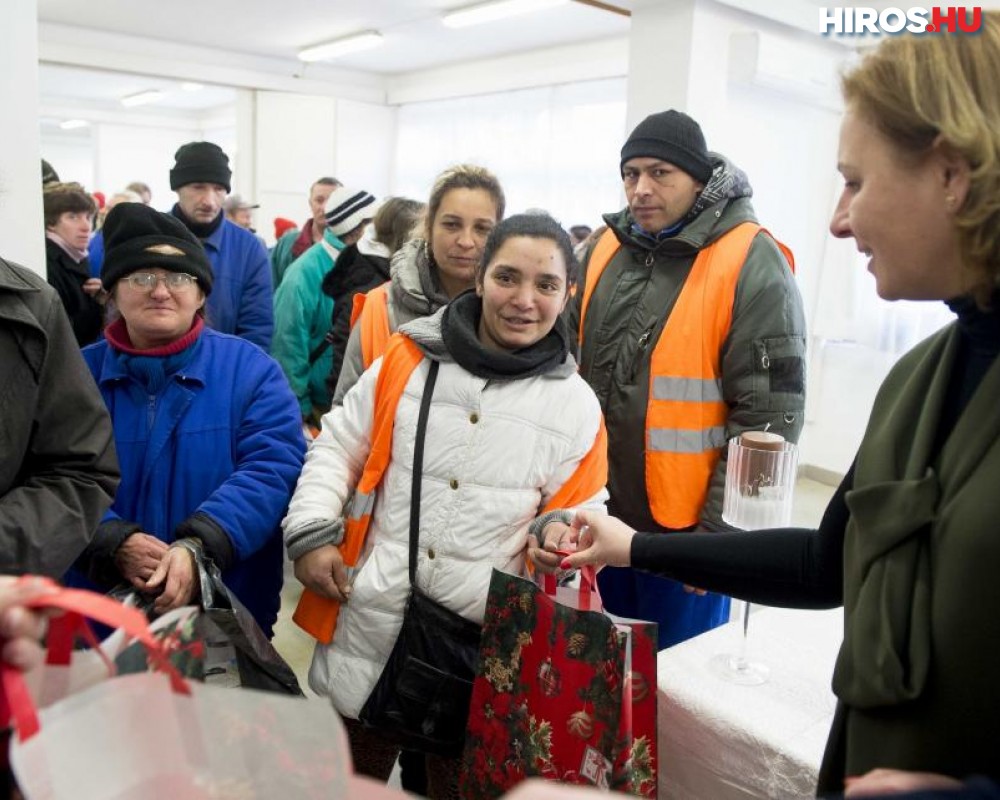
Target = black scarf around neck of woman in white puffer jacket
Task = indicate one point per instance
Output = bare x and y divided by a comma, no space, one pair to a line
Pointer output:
460,331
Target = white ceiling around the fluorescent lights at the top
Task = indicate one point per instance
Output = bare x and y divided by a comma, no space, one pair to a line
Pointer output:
415,38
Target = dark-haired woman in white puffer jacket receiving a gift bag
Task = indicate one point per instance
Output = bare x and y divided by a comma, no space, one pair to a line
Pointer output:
510,421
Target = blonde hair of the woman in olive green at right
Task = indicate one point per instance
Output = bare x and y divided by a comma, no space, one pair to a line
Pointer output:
917,89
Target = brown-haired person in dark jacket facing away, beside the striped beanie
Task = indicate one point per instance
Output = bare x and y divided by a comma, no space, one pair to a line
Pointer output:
363,266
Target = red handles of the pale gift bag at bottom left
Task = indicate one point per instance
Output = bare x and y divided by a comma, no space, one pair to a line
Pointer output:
16,702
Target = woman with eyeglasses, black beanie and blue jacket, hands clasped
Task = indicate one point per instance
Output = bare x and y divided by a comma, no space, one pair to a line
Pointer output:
207,431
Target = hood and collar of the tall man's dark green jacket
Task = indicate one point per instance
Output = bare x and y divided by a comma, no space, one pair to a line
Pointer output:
723,204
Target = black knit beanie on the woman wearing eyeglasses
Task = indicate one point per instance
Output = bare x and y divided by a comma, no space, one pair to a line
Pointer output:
139,237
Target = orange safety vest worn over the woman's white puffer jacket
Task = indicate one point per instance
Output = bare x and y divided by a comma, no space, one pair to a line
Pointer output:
317,615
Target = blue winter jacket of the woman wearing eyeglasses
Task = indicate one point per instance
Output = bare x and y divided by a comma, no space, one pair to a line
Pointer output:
224,439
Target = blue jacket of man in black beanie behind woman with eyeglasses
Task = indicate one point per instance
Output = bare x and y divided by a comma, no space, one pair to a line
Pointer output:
241,298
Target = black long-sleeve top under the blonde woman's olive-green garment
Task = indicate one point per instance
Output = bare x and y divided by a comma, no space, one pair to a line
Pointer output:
802,567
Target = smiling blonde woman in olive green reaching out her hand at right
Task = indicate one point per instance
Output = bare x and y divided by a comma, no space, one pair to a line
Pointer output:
909,541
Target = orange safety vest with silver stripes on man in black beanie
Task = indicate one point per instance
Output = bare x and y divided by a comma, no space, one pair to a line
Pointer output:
686,413
